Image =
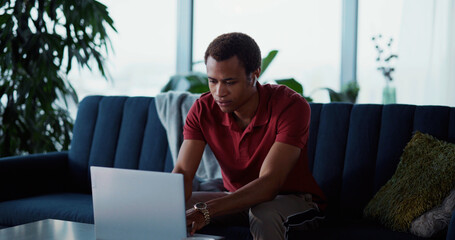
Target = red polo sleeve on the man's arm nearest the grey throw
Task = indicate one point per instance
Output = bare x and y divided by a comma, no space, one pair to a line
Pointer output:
192,128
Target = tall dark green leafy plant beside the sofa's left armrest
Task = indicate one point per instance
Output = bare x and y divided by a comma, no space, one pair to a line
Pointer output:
39,42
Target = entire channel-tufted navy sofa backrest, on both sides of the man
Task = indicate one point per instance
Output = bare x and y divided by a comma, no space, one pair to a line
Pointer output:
353,149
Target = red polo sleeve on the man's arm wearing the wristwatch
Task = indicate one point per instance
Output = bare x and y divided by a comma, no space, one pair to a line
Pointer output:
293,123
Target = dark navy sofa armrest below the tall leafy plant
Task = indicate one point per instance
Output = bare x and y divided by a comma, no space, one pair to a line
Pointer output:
35,174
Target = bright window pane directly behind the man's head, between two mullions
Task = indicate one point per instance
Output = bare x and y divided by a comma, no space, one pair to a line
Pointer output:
306,33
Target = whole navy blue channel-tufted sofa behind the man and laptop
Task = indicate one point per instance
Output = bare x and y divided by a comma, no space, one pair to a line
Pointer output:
353,150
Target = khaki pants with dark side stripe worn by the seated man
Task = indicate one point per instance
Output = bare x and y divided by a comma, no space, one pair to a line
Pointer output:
266,220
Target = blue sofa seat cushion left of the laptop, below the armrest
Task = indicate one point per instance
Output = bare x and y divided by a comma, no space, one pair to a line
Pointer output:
63,206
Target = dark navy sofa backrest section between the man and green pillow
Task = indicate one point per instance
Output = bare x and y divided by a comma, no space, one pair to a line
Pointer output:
355,149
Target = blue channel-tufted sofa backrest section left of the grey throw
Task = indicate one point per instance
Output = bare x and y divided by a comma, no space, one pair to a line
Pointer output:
114,131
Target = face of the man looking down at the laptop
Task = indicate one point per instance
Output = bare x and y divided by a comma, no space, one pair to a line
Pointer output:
229,84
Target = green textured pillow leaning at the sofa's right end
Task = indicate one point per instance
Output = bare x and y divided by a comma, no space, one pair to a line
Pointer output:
424,177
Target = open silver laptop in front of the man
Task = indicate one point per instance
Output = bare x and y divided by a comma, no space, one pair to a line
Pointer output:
135,204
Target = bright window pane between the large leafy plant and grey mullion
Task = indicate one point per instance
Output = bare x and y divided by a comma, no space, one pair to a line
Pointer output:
144,50
